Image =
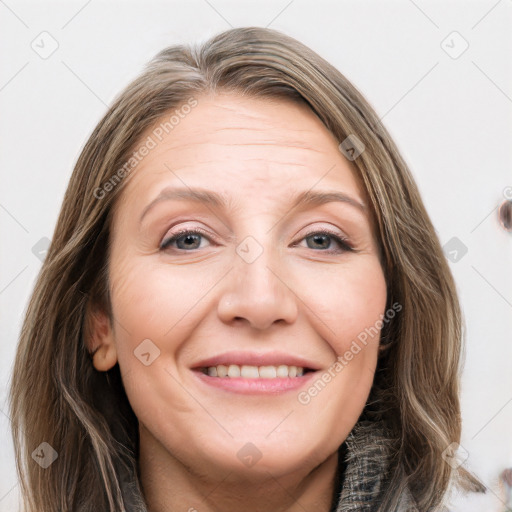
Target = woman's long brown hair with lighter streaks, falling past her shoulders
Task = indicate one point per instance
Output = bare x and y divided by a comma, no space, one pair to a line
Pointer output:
59,398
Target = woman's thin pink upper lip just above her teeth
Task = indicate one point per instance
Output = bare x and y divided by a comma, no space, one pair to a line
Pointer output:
256,359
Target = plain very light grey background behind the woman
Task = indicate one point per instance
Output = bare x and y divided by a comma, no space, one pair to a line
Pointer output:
450,115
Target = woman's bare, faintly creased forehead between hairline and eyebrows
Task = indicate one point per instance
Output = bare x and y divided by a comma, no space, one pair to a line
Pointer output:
246,146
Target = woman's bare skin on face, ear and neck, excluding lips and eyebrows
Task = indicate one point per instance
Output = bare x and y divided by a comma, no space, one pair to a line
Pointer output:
297,296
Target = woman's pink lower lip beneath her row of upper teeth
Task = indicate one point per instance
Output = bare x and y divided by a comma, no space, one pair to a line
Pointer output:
255,386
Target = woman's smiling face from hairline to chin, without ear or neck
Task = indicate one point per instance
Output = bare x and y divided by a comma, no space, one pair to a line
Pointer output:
254,284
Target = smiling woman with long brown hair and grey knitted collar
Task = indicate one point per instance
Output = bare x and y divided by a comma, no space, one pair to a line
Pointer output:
244,305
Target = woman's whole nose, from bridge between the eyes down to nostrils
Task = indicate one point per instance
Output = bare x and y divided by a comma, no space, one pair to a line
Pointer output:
256,291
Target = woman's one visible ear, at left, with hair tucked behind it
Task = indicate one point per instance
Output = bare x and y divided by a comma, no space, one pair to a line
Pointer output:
100,340
